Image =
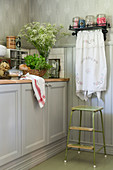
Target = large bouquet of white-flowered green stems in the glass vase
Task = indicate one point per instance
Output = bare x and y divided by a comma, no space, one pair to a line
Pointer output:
42,36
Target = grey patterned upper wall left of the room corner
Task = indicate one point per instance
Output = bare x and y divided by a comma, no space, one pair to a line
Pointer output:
13,15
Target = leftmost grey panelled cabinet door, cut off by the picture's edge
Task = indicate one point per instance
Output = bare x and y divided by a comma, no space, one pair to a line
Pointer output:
10,123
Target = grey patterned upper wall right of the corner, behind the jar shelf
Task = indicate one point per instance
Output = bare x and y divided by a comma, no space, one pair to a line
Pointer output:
62,11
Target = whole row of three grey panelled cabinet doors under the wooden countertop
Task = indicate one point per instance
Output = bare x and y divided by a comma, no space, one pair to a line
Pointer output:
24,126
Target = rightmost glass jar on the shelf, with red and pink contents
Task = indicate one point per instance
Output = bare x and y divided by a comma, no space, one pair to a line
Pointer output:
101,20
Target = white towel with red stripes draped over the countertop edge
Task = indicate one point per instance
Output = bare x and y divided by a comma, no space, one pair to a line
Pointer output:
38,84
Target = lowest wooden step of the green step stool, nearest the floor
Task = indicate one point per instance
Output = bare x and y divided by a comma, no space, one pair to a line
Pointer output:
80,146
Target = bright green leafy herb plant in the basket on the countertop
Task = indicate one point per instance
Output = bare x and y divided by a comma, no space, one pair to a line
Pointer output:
37,62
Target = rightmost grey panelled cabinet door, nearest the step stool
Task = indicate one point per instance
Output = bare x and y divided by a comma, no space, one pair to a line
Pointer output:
57,110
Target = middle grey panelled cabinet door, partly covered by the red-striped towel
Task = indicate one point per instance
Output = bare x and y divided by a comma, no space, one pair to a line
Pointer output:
33,121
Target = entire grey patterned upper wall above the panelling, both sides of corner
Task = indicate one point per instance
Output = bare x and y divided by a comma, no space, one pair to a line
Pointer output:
15,13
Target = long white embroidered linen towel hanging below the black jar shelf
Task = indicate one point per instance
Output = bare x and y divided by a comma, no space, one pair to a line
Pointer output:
91,69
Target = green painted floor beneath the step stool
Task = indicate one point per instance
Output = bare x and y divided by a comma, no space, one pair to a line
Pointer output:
82,161
